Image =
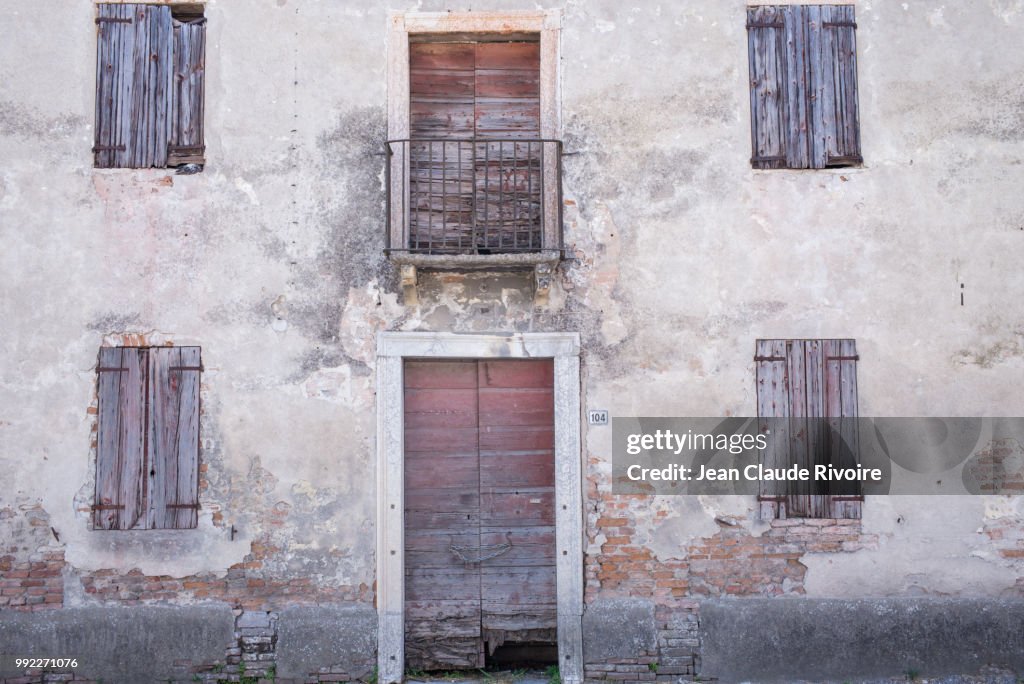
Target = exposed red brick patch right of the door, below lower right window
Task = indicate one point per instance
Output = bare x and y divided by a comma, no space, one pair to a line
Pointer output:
734,563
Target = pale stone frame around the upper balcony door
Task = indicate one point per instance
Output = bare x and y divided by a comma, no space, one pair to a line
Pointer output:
547,23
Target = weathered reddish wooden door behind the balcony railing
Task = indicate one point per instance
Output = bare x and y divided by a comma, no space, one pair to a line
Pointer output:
476,159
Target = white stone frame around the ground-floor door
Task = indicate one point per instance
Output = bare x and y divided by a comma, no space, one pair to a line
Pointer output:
393,350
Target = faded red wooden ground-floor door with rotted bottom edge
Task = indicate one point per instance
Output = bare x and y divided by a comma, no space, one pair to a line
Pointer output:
480,509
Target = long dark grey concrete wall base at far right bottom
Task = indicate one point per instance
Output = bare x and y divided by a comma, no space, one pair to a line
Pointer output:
776,640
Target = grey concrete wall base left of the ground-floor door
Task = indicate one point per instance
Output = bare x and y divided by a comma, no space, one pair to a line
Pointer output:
208,644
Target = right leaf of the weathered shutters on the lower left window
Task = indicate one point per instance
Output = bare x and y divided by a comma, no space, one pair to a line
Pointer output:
174,438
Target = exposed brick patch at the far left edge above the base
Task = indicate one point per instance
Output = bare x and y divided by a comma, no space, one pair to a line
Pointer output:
31,560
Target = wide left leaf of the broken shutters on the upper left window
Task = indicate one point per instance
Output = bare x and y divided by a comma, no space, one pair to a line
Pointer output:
134,85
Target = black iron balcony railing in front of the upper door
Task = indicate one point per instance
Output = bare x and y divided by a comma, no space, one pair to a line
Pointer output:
474,197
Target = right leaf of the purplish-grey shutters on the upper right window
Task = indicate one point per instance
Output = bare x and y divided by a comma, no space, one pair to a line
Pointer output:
835,87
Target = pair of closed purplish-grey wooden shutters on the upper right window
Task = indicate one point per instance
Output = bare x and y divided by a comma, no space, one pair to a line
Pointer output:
803,69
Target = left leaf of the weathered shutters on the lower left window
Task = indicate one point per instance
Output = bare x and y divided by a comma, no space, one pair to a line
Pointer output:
120,440
